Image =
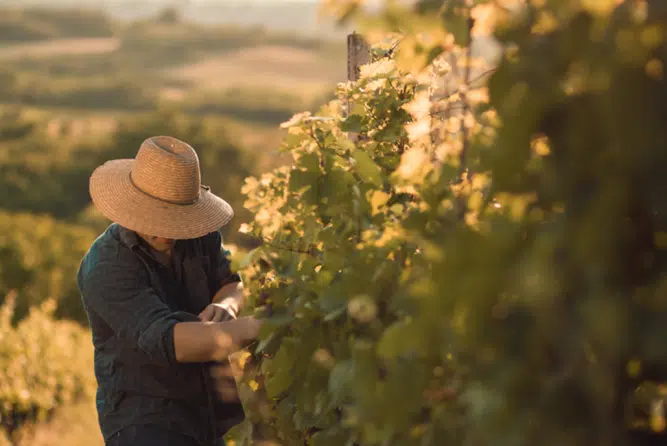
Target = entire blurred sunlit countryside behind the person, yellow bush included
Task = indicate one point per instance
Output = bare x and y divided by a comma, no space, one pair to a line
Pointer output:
81,85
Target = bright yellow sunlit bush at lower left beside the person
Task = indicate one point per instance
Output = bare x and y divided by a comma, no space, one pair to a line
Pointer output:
44,364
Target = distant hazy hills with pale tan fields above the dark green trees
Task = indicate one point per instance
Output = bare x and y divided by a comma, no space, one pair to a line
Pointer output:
205,69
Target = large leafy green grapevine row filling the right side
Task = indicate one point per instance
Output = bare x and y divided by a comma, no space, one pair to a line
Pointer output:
470,272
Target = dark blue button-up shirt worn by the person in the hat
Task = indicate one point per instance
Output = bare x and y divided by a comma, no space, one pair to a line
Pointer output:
133,302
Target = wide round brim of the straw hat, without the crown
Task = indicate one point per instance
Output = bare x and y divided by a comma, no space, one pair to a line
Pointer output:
116,197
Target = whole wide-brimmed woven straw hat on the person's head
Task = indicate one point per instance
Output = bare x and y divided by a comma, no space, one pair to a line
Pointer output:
159,192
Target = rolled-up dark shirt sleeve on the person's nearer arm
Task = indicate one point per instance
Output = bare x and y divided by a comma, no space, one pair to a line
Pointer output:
121,295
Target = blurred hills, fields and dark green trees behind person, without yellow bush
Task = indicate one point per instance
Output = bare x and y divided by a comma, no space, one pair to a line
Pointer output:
80,87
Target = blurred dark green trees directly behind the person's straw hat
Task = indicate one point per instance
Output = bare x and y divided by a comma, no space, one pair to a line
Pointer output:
39,255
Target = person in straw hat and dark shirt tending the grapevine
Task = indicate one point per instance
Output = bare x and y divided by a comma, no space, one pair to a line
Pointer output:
162,301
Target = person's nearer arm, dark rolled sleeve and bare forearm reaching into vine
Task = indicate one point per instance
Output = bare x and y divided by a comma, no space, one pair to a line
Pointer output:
120,293
